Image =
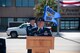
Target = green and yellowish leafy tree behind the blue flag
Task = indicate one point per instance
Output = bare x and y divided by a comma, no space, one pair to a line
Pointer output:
39,8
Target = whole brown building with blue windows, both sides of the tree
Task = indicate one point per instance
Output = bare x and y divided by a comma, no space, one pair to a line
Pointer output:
20,11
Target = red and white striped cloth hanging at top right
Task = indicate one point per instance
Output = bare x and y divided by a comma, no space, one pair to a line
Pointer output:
68,3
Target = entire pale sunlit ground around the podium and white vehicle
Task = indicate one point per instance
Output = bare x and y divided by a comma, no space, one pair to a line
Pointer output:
69,44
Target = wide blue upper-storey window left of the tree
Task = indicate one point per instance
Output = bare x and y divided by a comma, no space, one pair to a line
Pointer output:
25,3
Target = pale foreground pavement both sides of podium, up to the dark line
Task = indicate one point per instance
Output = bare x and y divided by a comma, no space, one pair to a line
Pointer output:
61,46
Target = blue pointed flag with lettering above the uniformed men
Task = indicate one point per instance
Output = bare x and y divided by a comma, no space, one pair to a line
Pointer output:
50,15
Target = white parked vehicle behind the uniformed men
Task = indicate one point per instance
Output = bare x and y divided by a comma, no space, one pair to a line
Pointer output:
14,32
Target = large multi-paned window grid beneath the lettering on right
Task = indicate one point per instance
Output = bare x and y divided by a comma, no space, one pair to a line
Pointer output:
70,23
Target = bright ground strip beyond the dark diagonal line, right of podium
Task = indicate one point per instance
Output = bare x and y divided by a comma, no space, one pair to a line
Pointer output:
75,36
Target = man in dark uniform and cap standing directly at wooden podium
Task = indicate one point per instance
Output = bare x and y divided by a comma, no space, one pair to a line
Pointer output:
40,30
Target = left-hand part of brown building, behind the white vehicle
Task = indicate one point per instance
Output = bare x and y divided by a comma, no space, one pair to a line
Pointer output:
15,11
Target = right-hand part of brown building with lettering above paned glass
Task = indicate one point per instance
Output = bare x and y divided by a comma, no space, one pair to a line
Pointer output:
70,18
